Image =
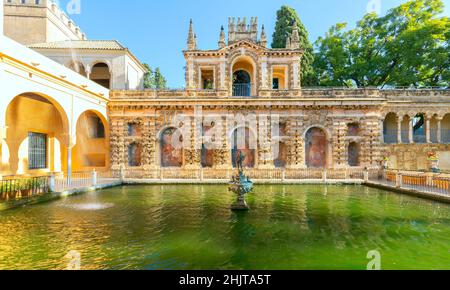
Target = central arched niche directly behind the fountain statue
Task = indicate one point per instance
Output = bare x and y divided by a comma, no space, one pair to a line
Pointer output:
243,140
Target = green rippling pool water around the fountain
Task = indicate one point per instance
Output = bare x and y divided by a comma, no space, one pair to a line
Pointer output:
192,227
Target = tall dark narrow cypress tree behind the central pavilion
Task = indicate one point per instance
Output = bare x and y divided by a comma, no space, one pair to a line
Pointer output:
286,17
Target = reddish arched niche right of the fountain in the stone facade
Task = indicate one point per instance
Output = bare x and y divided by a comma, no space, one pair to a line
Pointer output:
316,148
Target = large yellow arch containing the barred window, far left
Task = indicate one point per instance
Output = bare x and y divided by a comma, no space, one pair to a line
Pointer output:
37,135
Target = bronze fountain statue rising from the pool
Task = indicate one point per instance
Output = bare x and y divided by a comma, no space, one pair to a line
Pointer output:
240,184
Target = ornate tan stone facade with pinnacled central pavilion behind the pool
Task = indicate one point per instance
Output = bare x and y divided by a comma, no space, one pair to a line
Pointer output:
243,84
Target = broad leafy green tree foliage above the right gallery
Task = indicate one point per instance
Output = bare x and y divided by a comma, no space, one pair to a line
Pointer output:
409,46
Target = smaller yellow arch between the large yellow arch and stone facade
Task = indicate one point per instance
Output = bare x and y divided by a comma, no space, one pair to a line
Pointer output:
92,136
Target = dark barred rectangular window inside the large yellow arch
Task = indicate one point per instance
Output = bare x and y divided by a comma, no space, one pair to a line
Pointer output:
37,151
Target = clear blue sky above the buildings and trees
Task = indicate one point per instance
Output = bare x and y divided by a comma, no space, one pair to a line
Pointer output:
156,31
